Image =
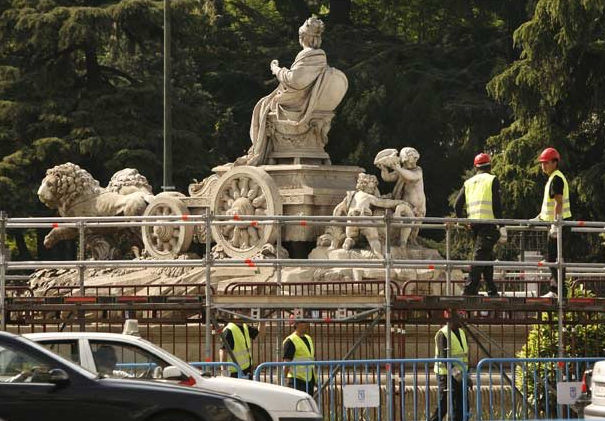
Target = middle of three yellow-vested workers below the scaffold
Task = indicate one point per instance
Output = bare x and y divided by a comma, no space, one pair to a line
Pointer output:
299,347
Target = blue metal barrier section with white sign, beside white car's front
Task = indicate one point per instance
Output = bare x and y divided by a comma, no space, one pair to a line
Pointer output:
396,389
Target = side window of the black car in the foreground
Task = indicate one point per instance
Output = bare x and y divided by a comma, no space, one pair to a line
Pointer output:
18,366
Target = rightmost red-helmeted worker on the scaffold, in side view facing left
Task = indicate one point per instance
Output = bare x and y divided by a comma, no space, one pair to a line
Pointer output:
555,206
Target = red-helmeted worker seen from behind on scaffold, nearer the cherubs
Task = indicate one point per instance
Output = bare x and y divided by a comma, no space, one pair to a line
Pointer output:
480,195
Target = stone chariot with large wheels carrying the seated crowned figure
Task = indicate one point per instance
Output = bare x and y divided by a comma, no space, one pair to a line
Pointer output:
285,172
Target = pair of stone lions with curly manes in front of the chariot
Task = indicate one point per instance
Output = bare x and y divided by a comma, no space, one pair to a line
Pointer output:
74,192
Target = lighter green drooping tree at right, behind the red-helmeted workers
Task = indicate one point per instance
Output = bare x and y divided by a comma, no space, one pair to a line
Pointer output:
555,91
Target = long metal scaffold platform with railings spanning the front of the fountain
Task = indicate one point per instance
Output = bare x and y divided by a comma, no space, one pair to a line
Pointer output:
352,316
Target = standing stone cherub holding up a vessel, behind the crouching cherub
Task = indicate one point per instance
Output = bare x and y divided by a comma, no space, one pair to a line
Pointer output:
409,182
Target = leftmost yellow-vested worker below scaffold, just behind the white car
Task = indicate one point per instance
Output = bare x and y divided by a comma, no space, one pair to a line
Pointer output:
239,337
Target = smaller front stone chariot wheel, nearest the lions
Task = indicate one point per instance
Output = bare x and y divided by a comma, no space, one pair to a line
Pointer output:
167,241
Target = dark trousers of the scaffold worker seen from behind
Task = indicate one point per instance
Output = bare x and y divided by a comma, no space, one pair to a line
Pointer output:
484,238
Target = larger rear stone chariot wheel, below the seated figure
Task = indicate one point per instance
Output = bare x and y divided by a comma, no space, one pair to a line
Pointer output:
245,191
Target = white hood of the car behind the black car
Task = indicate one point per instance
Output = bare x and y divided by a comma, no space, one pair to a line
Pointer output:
271,396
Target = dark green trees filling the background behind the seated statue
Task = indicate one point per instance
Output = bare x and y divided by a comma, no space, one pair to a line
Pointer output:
82,82
